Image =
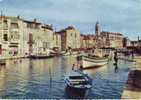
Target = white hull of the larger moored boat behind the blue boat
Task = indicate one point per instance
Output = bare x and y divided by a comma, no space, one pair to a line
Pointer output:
89,62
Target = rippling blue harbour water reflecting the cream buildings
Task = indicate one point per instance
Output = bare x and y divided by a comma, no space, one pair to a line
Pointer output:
44,79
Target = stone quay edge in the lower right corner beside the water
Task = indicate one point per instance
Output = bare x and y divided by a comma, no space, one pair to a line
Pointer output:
133,86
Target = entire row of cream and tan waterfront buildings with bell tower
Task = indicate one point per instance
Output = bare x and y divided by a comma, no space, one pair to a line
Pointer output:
20,38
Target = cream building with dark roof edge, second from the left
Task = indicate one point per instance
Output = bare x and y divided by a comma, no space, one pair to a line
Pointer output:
41,38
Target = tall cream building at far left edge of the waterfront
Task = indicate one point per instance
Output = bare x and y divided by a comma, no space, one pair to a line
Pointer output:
11,32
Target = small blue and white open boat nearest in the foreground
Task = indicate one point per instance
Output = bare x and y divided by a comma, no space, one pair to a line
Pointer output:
78,83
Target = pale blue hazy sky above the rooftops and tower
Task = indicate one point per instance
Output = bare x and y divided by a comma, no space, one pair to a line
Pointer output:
122,16
